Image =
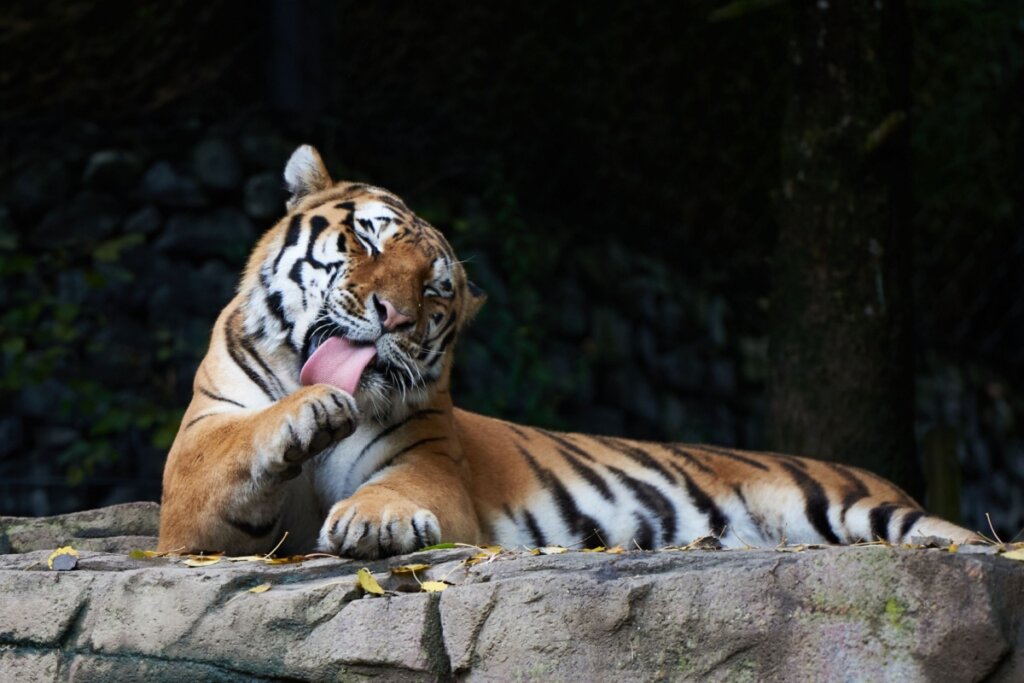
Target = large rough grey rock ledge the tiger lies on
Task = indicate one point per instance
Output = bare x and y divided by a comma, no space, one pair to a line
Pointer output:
840,614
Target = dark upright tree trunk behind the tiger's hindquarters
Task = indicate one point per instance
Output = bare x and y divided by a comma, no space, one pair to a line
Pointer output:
842,367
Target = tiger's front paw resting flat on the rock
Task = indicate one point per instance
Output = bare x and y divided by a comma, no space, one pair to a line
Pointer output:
369,530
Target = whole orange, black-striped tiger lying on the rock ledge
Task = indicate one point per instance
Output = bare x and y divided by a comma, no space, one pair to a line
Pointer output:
322,419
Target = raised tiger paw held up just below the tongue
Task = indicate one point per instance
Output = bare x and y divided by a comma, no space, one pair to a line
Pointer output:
320,416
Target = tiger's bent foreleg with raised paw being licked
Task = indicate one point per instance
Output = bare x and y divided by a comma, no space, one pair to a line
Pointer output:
230,476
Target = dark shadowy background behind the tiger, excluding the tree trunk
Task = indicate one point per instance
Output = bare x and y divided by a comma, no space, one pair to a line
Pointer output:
611,174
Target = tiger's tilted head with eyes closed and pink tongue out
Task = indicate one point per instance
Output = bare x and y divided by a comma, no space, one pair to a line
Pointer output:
354,289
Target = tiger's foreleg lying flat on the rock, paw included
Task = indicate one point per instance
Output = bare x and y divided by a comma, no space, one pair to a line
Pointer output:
417,502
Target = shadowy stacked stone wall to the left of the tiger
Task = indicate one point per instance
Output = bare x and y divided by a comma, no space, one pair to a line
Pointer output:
135,249
